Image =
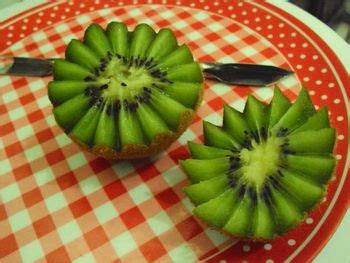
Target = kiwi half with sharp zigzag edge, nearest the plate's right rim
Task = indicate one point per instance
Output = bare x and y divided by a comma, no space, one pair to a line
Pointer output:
264,170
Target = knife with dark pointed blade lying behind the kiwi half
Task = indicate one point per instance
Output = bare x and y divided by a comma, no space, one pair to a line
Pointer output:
229,73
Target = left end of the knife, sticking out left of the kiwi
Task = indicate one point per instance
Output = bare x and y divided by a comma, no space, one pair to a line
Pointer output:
20,66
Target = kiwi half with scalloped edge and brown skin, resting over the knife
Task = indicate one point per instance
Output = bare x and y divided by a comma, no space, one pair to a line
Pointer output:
125,94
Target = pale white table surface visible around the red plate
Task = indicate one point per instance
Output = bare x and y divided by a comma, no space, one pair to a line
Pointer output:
335,250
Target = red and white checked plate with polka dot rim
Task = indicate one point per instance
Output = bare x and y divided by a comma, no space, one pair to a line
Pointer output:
60,202
